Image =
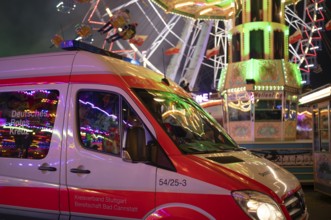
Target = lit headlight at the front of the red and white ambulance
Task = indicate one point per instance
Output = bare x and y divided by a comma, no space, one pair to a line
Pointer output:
258,206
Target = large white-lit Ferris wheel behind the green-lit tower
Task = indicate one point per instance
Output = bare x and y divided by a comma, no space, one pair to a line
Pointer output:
190,34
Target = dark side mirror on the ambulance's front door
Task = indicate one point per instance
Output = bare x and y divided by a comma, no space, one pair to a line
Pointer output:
135,145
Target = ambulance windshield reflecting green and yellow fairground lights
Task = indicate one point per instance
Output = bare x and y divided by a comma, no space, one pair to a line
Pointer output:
189,126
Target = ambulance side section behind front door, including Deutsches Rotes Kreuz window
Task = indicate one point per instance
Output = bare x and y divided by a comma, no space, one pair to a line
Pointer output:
31,144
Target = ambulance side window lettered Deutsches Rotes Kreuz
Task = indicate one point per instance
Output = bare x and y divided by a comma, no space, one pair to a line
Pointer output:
27,122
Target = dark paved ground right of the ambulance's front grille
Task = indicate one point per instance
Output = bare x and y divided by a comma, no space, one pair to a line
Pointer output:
319,205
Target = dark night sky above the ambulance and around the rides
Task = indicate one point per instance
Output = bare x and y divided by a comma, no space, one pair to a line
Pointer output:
28,26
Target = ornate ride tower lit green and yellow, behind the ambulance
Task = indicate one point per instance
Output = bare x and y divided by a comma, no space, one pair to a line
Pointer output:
260,86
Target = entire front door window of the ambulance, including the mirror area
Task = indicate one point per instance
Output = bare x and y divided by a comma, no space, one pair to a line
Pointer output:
107,123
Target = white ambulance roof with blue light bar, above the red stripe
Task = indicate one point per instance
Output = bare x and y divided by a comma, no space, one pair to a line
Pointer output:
79,62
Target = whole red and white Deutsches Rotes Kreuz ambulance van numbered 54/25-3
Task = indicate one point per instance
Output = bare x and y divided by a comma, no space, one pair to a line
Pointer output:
89,136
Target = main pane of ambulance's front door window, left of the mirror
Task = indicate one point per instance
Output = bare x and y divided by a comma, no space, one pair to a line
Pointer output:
98,121
